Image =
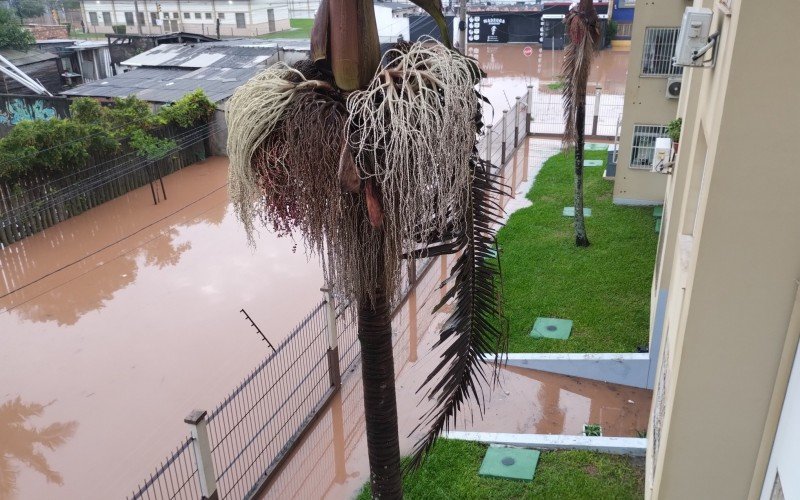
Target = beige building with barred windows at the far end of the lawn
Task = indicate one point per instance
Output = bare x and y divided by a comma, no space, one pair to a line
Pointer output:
648,104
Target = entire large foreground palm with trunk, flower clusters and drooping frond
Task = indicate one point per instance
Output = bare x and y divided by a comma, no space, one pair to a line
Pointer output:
348,152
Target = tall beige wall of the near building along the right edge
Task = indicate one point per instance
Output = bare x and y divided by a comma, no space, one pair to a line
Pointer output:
732,316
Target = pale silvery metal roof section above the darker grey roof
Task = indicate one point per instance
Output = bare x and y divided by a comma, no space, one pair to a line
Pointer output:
228,54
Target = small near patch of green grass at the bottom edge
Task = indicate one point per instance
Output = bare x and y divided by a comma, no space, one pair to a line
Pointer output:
451,472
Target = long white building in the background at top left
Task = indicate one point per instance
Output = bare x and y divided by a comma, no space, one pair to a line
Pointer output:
152,17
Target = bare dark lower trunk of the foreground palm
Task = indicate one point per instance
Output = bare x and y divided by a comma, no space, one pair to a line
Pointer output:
380,404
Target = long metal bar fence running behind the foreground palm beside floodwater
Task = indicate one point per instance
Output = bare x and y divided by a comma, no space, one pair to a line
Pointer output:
235,450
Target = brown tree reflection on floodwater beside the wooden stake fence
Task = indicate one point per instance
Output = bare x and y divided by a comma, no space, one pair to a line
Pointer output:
28,262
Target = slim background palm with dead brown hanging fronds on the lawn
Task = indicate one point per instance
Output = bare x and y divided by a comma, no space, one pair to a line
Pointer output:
584,34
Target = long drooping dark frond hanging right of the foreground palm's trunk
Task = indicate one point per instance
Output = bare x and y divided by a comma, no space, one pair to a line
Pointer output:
473,331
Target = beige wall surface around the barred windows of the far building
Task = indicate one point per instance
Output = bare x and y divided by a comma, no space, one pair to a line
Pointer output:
645,104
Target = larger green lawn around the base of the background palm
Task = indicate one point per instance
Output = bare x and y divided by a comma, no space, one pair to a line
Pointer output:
604,289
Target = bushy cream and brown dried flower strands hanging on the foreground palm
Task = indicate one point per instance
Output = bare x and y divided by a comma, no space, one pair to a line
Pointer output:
411,134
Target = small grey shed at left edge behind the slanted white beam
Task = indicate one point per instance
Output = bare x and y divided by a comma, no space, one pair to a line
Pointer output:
44,67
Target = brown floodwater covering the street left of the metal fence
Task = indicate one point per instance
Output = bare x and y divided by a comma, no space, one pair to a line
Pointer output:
116,323
